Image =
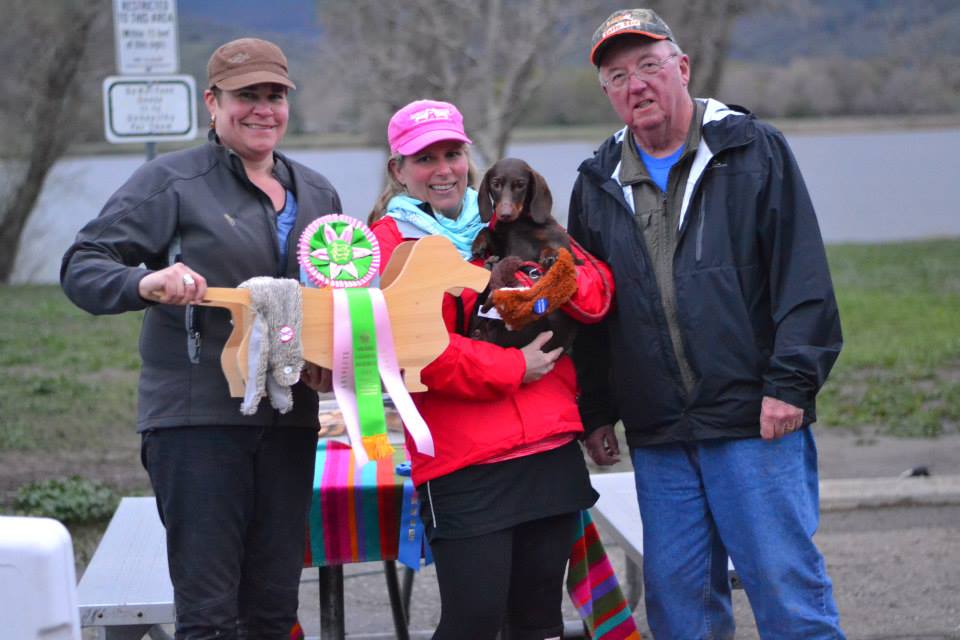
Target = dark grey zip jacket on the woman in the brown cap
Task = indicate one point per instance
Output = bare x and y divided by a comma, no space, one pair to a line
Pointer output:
197,206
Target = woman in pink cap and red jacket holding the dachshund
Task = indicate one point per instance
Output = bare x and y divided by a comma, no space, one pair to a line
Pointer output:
501,498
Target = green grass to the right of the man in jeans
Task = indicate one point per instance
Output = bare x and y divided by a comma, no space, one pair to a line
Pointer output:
900,367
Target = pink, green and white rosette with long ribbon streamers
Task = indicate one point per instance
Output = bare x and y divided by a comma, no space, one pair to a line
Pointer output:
363,348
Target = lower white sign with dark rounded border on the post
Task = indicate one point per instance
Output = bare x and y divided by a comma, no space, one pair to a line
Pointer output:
149,108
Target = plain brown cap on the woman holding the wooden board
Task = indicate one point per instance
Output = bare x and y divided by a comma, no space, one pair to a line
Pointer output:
246,61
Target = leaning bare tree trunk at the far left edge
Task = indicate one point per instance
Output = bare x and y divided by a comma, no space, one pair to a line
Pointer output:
44,47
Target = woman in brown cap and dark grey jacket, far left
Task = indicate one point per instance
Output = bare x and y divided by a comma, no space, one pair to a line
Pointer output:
232,489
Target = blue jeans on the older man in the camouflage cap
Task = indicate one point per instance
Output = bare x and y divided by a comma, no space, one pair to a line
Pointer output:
753,499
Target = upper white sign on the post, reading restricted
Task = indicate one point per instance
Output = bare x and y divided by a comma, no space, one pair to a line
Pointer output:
146,34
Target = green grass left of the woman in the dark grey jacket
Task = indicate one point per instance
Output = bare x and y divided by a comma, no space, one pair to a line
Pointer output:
69,378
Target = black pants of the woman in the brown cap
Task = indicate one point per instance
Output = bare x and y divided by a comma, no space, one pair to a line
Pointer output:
234,502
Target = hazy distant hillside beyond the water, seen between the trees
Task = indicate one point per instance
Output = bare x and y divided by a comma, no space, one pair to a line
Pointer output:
811,58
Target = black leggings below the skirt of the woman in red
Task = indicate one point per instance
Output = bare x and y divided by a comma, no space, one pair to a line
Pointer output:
511,579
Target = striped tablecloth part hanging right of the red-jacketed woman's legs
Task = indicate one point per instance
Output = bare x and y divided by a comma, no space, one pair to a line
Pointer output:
594,589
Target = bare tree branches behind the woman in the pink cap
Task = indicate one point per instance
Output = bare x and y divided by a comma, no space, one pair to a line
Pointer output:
489,57
